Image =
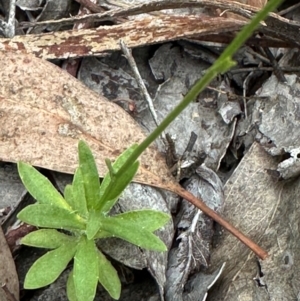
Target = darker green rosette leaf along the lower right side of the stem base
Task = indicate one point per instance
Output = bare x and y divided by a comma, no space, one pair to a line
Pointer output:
118,184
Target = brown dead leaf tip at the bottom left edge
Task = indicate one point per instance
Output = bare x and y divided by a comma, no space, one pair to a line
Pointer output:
8,273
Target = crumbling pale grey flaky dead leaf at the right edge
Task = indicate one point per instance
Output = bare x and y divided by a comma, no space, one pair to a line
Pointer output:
278,122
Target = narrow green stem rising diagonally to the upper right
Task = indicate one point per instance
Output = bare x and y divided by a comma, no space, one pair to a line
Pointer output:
222,64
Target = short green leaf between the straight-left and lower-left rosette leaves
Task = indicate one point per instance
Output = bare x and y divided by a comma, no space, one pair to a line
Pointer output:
47,238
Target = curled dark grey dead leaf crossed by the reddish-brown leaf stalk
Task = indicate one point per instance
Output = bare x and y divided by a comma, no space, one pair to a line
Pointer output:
195,231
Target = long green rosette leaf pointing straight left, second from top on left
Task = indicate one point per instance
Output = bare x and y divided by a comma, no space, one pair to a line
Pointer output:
42,215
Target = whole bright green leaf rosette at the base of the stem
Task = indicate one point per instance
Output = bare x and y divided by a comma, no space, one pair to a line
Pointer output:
83,215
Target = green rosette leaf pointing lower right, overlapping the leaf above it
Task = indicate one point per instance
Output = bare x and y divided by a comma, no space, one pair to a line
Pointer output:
133,234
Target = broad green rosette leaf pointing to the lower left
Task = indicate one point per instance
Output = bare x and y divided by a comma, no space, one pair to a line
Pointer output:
48,268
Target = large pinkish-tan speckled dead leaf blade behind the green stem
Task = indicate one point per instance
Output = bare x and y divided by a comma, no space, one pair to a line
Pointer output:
44,112
